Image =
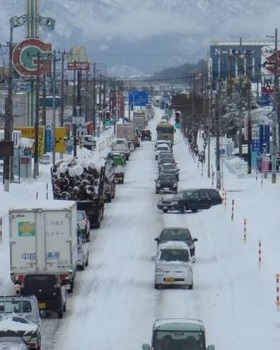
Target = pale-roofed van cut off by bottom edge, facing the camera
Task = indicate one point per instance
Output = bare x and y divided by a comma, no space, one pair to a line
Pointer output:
182,334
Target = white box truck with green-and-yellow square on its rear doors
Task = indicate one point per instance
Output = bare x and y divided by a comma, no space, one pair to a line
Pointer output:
43,239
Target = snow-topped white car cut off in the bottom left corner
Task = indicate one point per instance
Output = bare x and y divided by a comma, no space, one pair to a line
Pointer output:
17,329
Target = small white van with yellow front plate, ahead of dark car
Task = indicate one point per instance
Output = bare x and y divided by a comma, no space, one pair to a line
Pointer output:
173,265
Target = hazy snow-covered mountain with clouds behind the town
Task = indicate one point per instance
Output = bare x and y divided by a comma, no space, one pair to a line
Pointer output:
147,35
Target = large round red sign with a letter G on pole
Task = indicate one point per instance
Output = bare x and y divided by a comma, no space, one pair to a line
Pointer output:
25,57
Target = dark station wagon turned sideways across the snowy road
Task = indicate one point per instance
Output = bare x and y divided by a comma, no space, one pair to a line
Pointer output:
192,199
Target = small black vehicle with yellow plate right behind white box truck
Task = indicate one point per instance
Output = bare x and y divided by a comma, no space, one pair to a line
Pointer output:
49,290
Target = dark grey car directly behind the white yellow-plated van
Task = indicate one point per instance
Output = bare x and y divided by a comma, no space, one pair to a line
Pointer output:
181,234
